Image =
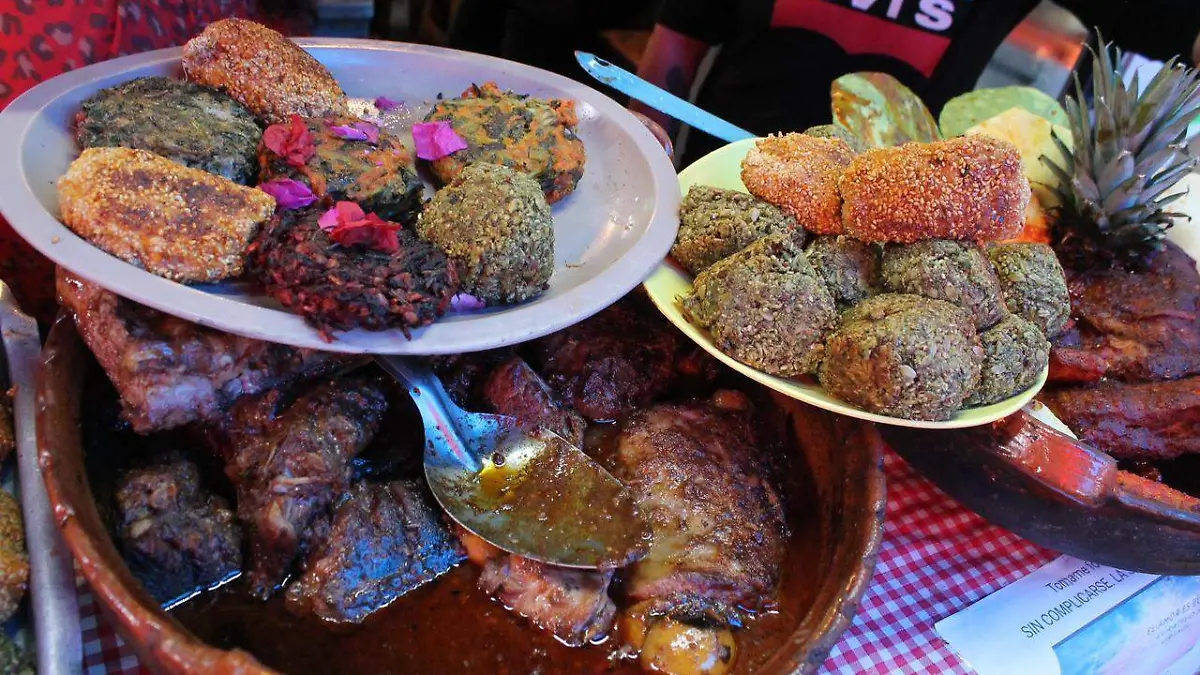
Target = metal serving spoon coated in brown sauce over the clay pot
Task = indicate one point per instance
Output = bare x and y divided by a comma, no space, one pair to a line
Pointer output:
527,492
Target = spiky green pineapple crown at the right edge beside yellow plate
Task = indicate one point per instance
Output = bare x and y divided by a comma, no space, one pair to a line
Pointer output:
1129,152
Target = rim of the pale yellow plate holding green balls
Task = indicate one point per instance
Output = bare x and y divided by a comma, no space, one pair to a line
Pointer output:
979,416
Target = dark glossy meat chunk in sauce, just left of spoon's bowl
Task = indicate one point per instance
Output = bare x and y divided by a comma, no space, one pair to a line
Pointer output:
386,541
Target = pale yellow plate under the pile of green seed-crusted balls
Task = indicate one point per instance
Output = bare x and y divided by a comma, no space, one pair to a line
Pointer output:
723,169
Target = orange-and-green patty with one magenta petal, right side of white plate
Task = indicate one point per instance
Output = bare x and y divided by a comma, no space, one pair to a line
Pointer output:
532,136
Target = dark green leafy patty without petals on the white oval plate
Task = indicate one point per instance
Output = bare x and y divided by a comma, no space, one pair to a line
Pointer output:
194,126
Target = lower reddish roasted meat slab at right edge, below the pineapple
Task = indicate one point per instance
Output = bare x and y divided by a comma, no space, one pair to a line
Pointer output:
1148,421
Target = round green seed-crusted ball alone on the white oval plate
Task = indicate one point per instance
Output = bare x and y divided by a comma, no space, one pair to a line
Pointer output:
495,224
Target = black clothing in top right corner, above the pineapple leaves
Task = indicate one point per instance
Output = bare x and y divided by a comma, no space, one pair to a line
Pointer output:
1159,29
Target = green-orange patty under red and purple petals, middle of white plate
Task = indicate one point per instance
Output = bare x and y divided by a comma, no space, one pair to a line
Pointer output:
380,177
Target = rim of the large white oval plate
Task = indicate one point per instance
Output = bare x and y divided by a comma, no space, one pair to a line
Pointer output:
520,324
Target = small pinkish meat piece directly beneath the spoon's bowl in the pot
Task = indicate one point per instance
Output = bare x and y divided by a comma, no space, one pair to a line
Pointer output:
572,605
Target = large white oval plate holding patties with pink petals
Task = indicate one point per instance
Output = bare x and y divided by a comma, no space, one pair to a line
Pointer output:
610,234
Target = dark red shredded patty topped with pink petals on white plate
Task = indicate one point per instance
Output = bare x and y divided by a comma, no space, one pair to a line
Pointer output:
339,288
